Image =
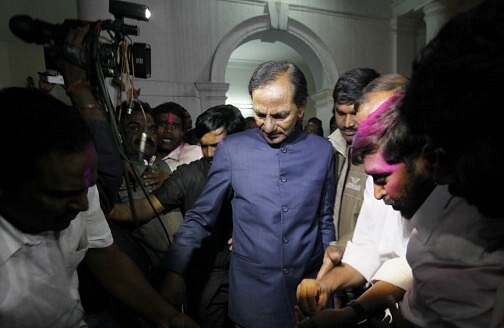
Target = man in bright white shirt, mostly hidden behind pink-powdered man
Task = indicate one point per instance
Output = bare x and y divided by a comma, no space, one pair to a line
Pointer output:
376,255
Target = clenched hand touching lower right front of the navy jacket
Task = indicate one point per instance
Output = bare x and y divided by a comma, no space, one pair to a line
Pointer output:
312,296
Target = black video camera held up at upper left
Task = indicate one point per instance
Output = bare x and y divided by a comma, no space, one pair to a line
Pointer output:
110,54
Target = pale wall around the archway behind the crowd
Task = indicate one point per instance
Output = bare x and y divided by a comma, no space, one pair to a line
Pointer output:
185,34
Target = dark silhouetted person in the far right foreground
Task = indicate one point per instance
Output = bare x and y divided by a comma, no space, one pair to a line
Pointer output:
457,76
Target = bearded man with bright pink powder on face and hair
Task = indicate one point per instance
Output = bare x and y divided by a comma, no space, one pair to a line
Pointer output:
456,266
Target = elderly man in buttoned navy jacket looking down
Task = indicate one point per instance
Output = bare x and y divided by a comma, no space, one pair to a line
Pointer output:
280,181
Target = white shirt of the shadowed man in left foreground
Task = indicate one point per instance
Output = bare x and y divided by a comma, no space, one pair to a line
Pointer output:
38,277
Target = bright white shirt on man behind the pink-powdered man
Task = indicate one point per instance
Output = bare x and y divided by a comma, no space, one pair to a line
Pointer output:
378,247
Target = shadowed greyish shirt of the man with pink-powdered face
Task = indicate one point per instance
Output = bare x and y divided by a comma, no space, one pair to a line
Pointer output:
455,279
